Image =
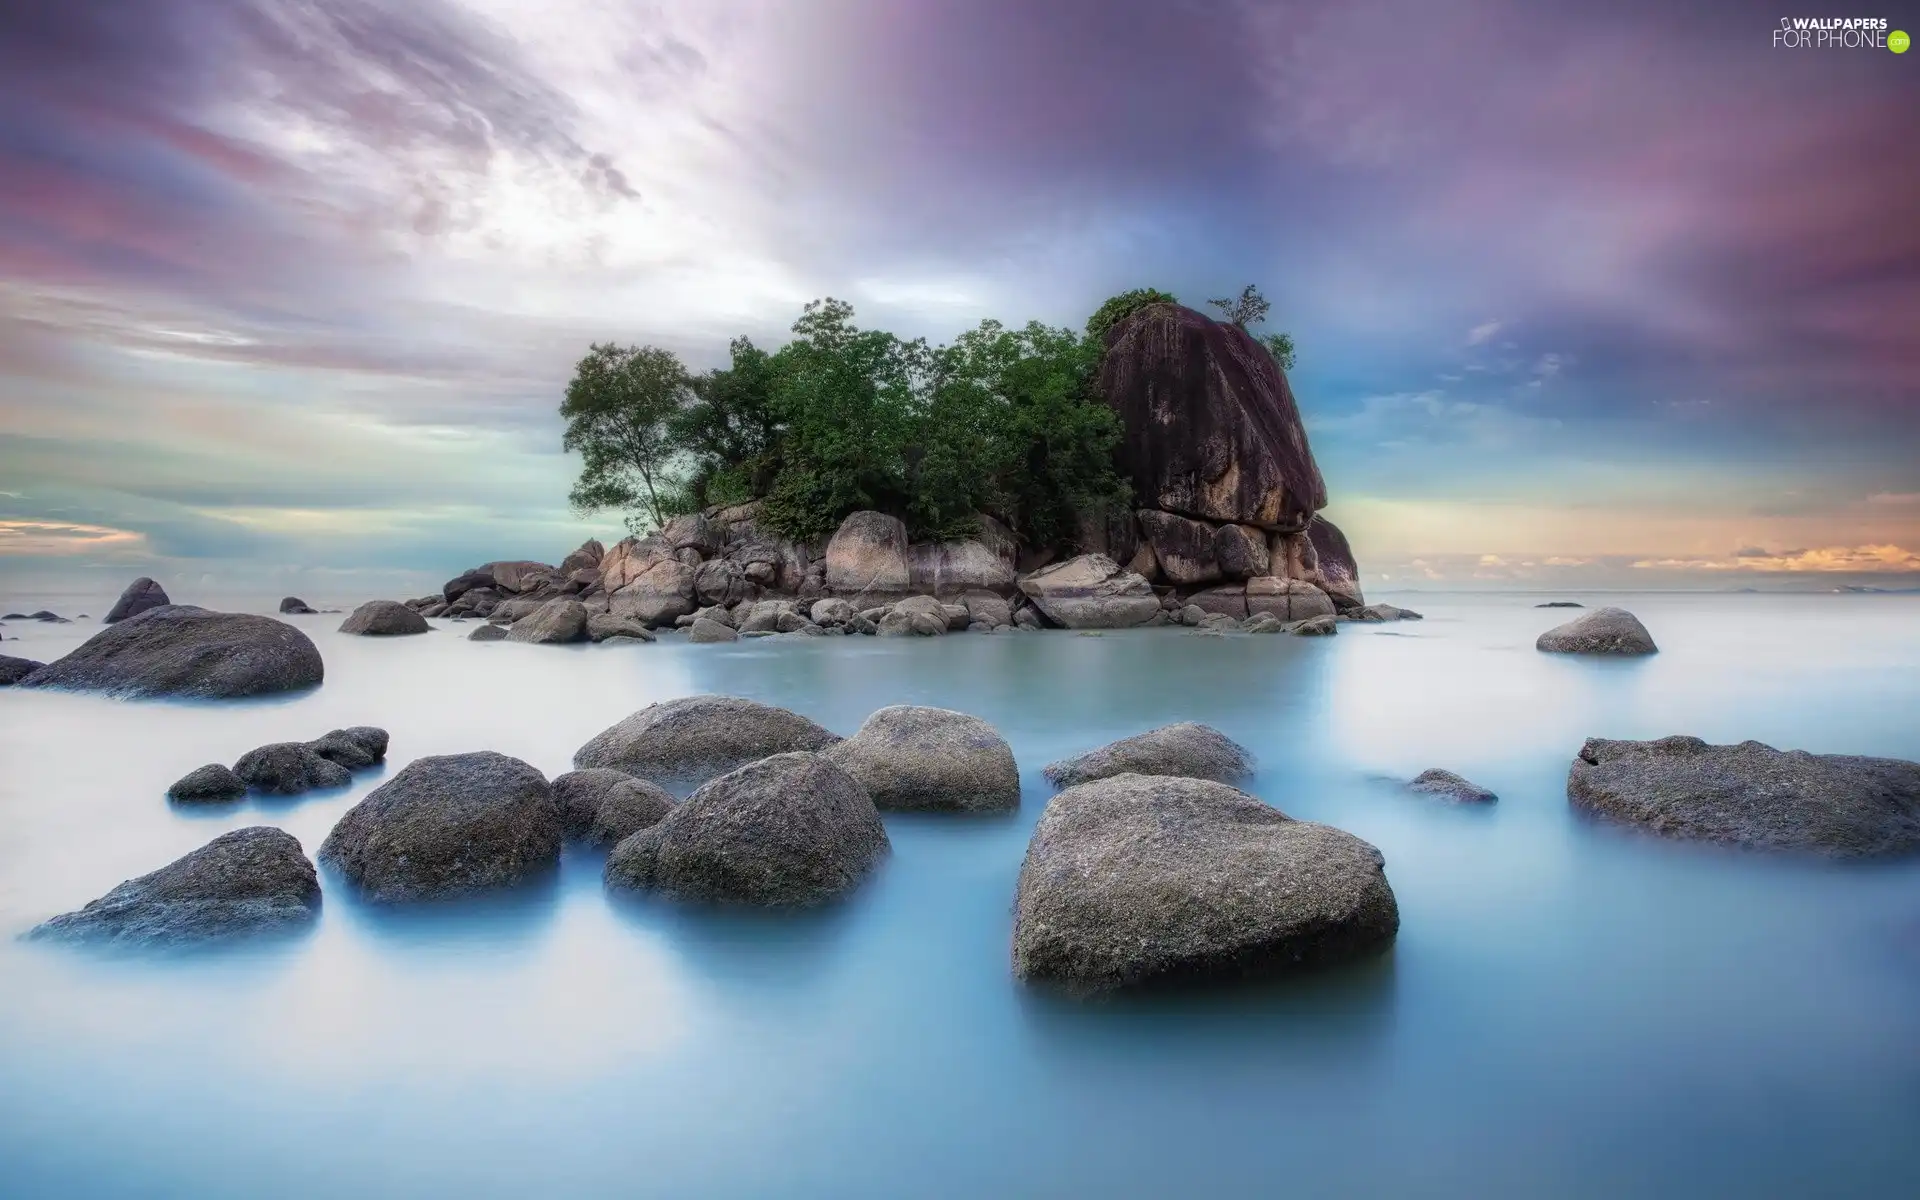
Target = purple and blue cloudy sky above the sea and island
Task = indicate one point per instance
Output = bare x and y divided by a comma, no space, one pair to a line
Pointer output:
289,291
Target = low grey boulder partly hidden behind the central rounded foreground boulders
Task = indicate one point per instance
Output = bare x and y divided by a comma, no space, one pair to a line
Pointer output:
698,738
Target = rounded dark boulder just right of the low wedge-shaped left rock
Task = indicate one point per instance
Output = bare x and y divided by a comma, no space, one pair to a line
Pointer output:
448,827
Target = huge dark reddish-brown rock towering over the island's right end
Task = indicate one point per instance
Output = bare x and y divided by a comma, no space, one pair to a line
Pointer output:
1212,429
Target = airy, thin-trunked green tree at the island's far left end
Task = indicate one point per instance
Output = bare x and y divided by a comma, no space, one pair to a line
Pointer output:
619,414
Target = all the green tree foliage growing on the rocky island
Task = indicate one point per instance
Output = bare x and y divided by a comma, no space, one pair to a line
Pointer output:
1003,423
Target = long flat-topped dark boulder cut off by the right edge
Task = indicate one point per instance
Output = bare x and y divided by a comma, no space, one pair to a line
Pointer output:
1752,796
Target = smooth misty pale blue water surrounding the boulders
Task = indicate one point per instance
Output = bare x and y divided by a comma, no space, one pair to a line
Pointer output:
1572,1011
